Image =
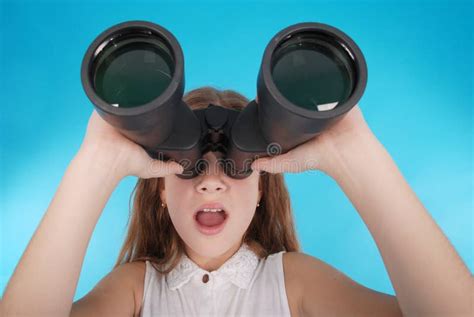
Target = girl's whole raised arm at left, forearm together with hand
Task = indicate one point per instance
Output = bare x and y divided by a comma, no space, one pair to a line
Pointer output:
45,279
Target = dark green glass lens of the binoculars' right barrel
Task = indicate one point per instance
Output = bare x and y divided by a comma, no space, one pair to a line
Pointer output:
313,71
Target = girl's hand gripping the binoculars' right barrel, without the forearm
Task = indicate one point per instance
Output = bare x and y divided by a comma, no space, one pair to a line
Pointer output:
321,152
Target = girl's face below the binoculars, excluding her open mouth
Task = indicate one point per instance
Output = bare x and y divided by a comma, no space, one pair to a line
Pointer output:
183,198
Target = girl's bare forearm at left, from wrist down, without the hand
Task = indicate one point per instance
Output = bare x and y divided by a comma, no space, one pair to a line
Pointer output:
45,279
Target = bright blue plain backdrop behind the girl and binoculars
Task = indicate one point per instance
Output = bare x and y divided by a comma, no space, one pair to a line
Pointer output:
418,102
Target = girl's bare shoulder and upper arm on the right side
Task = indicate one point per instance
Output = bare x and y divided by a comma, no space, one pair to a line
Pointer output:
316,287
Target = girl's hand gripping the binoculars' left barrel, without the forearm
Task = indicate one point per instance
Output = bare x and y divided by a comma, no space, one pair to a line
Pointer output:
113,150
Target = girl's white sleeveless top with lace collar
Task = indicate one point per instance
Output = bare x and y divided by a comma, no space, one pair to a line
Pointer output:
243,286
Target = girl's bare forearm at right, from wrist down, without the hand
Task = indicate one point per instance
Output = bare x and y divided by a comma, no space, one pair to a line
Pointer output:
429,277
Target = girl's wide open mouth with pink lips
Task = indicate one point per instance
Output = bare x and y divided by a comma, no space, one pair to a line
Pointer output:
211,219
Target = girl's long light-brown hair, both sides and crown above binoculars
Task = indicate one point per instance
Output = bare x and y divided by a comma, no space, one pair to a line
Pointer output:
151,234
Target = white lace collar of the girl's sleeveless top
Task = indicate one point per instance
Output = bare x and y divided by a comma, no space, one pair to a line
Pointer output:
238,269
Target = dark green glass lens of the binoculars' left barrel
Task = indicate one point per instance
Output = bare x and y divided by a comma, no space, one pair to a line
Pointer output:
133,69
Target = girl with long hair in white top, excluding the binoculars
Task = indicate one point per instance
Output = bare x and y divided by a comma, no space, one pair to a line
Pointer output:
169,266
